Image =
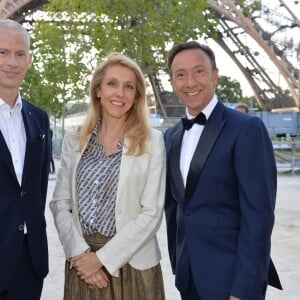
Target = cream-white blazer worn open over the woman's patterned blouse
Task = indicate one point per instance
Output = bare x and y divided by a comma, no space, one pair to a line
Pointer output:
138,211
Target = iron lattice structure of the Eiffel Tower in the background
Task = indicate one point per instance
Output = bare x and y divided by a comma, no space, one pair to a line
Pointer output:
264,43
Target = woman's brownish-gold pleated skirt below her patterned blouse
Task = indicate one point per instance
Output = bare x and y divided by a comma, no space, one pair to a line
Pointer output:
132,284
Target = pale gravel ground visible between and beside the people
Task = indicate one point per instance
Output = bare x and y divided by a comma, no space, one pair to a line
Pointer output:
285,247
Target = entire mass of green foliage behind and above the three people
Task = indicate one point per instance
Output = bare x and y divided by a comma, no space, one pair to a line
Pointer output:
75,34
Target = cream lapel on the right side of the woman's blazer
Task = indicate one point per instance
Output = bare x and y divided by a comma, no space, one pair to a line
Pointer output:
125,169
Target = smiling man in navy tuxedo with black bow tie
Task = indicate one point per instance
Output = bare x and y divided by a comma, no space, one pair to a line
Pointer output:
221,188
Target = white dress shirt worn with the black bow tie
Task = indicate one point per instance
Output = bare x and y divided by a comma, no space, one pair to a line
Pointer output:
191,138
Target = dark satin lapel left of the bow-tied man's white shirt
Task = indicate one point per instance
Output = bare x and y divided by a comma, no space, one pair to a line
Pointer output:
174,160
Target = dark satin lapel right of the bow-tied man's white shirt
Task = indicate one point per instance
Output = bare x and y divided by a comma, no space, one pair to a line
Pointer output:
208,137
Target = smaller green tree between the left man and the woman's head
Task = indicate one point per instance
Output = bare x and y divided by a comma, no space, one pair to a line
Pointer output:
60,66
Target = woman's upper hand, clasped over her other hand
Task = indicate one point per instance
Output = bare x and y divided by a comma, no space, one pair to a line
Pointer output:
86,264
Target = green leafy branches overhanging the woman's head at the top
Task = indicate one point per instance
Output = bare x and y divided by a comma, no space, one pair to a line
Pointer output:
141,29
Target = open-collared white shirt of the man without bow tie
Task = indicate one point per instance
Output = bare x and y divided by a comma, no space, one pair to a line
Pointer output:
13,131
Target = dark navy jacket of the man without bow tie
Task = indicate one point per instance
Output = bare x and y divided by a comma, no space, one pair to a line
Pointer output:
25,202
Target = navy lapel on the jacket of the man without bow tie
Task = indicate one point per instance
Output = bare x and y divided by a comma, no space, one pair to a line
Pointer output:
28,123
